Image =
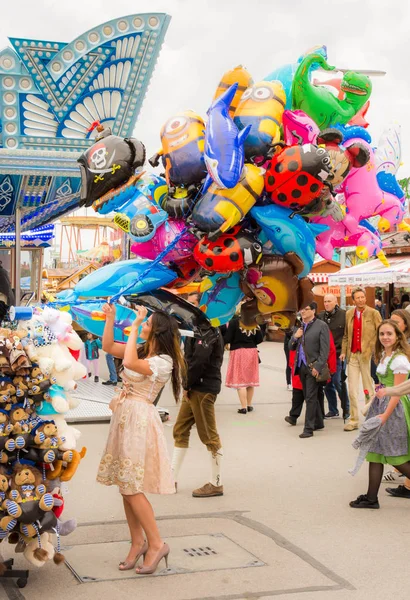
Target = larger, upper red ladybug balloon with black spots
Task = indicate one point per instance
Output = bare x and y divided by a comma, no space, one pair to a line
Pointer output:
296,176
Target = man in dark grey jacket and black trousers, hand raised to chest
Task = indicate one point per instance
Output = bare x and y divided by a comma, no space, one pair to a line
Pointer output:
312,344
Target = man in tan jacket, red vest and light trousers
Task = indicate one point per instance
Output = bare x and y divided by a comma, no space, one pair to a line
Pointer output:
358,345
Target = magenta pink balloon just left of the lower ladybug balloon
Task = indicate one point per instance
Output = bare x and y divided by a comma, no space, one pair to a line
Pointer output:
164,236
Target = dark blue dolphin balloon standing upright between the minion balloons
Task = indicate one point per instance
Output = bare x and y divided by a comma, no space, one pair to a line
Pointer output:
224,151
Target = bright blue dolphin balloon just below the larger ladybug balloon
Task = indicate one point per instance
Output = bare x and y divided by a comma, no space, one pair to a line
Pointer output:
288,234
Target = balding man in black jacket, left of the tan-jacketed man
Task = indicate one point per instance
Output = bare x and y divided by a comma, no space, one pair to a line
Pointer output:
335,317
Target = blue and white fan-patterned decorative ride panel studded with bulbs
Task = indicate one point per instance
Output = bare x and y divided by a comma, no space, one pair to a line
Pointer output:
51,92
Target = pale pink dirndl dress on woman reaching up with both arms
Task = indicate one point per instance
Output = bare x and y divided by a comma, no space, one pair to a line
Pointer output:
136,456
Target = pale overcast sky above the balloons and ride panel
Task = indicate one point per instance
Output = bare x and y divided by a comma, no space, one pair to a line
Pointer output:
207,37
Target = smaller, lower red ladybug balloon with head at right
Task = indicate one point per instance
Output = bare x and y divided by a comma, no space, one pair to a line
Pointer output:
230,252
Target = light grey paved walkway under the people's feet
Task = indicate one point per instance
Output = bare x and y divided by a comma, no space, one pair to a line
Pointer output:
283,529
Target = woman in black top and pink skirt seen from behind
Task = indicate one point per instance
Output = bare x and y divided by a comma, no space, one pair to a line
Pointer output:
243,367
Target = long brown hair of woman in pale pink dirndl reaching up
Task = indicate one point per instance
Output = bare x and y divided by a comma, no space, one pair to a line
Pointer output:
164,338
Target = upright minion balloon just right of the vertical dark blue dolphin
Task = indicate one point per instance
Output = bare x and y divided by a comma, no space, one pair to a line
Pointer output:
261,107
